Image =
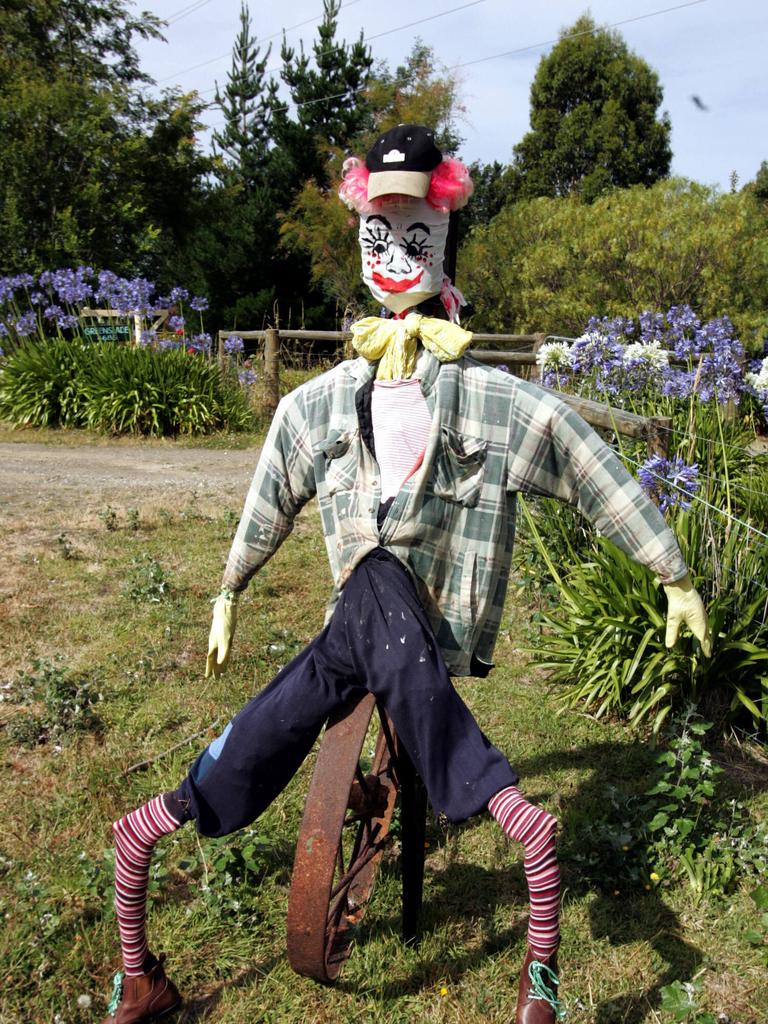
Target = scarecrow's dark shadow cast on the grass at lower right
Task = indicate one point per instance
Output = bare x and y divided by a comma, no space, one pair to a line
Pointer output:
463,890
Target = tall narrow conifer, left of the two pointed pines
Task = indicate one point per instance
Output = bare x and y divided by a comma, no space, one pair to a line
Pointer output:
247,103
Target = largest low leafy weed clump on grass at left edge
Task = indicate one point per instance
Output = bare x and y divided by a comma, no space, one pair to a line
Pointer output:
57,705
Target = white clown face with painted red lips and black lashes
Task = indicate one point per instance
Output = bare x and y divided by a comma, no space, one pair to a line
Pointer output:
403,247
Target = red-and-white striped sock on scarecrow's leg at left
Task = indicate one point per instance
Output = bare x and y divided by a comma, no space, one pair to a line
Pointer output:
136,836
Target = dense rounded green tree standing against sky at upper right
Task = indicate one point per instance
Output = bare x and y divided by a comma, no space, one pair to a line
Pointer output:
593,118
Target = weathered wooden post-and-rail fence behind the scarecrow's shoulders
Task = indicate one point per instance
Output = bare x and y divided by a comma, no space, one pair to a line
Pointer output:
655,431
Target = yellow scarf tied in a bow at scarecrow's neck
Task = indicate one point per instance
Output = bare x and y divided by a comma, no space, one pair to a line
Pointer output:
395,343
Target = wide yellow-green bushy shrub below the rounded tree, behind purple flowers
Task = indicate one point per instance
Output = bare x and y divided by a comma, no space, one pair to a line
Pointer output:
548,265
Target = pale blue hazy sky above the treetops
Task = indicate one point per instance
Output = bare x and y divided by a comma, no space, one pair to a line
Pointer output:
712,50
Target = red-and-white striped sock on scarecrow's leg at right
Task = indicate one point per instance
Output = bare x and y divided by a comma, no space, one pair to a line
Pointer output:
536,829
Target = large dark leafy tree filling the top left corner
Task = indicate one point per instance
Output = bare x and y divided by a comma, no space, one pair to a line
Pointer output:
93,172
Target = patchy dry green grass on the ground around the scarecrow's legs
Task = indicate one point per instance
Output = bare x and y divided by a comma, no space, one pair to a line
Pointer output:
60,941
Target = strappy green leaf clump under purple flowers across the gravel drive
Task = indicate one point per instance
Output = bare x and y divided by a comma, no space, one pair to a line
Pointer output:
120,390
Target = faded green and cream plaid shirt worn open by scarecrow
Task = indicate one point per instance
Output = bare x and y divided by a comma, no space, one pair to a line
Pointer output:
453,523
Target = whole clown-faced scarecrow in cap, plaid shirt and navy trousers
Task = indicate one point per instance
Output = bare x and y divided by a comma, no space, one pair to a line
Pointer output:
416,454
